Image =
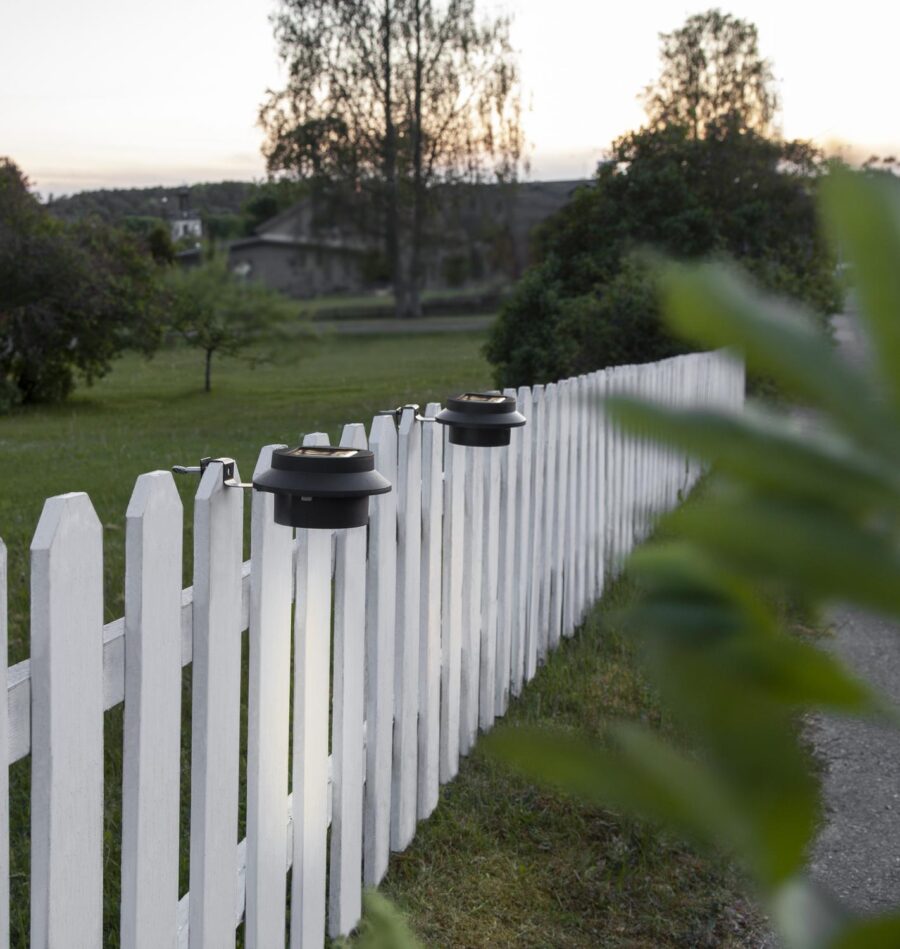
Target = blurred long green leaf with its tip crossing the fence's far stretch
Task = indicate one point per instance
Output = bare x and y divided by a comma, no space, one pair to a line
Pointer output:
770,453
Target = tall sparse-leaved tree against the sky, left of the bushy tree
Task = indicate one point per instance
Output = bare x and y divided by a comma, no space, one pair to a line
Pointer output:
386,100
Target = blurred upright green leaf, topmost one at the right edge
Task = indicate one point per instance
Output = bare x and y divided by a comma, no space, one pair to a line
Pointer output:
863,215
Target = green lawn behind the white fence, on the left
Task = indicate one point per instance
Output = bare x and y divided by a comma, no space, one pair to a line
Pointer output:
152,414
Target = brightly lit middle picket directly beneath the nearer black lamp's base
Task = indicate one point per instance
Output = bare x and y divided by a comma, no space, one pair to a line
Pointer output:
310,763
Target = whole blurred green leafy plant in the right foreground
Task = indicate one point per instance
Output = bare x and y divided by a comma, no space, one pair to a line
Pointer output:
809,513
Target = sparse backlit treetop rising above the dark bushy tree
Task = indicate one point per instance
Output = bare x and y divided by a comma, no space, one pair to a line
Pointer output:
712,72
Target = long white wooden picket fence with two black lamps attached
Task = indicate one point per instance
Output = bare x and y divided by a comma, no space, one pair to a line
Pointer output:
469,573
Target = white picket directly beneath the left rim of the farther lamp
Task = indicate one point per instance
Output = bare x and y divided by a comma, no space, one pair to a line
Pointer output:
452,605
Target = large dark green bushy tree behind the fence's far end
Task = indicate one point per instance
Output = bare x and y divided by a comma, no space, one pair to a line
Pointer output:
728,192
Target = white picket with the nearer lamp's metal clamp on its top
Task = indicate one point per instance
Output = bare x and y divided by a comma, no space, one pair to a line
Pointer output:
216,703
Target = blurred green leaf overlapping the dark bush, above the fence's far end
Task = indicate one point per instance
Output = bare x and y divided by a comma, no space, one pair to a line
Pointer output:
715,306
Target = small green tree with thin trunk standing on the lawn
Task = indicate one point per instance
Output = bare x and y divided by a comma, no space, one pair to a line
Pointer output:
218,312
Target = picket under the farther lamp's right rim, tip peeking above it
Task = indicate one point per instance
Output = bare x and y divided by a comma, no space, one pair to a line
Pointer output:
509,566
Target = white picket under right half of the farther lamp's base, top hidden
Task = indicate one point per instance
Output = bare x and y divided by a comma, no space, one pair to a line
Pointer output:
489,588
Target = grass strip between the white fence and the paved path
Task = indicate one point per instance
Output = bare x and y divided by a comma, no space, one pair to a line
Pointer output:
503,863
